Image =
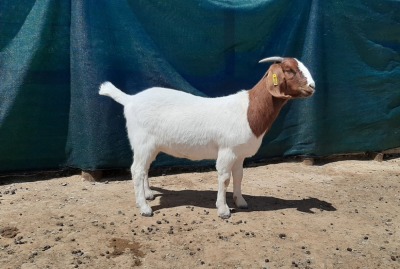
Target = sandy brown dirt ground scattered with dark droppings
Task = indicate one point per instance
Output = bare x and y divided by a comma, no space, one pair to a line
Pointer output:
342,214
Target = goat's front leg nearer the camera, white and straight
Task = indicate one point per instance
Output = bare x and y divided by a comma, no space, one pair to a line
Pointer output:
225,161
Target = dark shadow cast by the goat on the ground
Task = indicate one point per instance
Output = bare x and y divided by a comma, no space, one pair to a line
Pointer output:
206,199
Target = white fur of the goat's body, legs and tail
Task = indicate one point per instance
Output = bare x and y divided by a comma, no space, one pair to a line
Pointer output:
187,126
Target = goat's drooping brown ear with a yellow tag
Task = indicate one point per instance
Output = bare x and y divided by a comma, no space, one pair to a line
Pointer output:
276,84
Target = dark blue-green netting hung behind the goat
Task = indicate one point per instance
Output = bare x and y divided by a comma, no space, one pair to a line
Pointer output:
54,54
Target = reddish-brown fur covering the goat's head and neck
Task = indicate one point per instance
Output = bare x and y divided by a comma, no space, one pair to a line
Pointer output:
267,100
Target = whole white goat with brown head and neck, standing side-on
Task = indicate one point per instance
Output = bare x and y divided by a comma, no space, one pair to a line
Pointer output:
226,129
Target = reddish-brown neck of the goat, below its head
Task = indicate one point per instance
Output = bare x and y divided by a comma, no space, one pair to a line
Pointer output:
263,107
